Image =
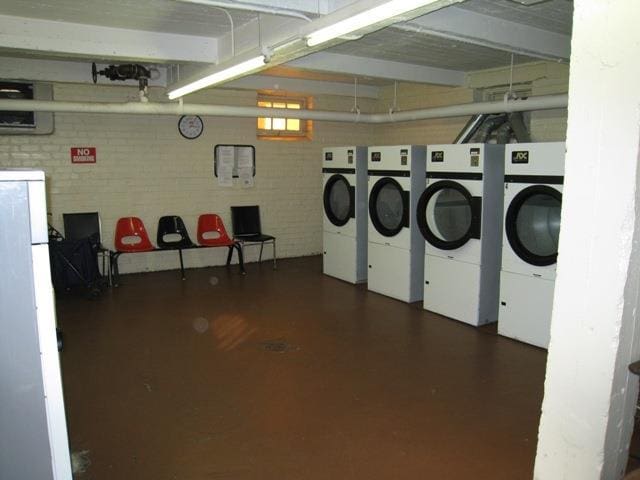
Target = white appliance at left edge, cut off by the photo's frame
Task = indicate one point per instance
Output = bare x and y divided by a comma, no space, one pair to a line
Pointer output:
35,443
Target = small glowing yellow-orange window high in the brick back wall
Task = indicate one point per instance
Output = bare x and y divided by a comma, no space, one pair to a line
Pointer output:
277,128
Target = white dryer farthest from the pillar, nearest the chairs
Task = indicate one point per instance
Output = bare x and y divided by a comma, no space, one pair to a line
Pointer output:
345,213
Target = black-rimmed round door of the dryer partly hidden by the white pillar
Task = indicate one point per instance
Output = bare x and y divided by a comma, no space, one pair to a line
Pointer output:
532,224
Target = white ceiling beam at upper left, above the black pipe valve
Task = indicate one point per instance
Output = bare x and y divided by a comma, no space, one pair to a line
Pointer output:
96,42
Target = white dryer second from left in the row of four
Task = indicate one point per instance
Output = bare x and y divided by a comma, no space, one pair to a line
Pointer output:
396,248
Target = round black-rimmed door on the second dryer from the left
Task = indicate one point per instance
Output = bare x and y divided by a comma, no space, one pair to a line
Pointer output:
388,207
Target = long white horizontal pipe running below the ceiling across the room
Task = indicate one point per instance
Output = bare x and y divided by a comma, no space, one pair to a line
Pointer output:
546,102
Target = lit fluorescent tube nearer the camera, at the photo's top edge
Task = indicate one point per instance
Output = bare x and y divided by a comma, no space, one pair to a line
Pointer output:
364,19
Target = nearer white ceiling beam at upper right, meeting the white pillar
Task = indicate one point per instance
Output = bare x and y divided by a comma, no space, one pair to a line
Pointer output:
471,27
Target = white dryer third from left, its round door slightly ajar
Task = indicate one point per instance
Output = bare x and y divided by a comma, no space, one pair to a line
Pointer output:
460,217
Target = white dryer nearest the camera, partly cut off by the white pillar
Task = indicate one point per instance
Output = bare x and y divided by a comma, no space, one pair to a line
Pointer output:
534,174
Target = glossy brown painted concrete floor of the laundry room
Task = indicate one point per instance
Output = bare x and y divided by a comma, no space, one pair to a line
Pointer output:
170,379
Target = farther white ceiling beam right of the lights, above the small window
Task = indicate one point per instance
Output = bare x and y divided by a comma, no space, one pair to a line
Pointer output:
371,67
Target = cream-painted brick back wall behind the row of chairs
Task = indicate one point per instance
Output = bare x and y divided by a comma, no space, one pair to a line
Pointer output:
145,168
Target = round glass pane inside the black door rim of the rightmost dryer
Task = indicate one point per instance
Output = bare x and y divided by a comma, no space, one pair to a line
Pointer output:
538,224
